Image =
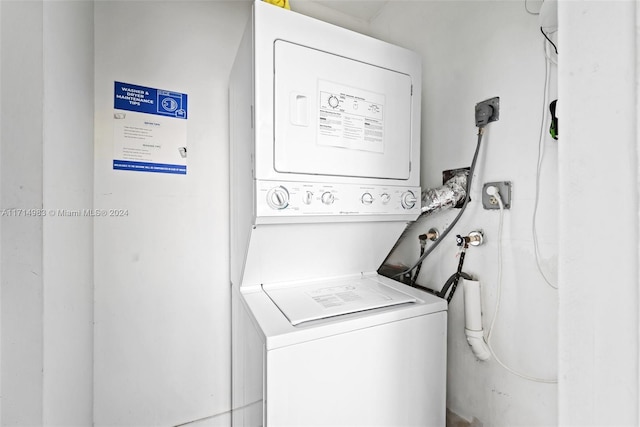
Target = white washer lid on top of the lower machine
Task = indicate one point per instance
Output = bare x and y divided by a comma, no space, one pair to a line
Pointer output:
319,300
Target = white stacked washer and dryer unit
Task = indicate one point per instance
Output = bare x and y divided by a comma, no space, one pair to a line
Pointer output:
325,148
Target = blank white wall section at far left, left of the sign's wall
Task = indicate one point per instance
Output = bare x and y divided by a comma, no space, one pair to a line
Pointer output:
46,155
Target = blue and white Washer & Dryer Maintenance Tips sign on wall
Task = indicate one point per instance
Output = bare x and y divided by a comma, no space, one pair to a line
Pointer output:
150,129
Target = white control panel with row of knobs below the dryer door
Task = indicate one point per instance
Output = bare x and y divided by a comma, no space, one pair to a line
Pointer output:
286,199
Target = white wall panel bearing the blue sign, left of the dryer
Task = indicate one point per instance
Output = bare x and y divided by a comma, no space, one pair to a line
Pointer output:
162,293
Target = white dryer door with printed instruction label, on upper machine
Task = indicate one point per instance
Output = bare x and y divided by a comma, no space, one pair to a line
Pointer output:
338,116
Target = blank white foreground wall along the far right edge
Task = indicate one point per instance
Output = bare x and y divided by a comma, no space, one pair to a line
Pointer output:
598,83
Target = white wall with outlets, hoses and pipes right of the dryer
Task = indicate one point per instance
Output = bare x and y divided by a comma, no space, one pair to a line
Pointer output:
473,51
